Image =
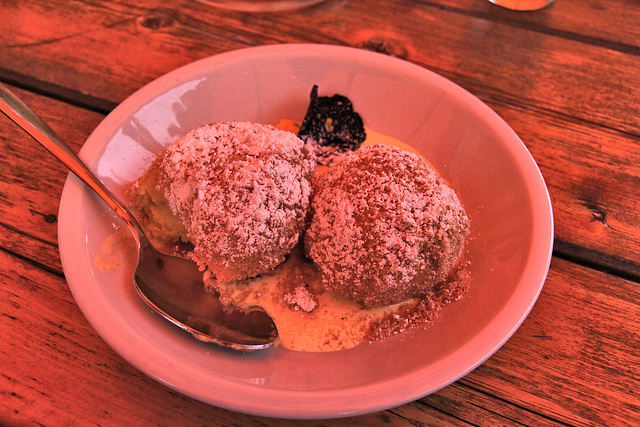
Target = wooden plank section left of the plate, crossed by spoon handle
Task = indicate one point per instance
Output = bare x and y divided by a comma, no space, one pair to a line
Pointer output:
31,180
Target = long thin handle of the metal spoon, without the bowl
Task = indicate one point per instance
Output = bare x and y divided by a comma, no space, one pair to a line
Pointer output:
24,117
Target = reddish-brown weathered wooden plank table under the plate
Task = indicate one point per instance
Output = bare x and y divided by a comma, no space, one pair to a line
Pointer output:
566,79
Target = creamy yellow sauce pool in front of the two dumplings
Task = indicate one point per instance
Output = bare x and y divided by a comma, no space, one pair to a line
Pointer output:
308,318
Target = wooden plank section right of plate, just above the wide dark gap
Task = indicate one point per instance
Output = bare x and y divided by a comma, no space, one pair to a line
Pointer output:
593,175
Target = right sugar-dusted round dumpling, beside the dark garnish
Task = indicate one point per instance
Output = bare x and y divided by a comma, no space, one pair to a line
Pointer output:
385,227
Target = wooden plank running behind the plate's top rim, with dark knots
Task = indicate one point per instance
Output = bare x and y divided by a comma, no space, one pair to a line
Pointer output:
108,50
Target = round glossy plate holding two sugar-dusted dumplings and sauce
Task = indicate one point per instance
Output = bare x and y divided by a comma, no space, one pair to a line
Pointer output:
473,148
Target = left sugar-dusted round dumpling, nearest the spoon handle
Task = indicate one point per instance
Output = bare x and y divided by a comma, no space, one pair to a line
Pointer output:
242,192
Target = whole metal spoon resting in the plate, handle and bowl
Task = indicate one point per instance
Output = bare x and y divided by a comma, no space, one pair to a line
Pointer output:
171,286
